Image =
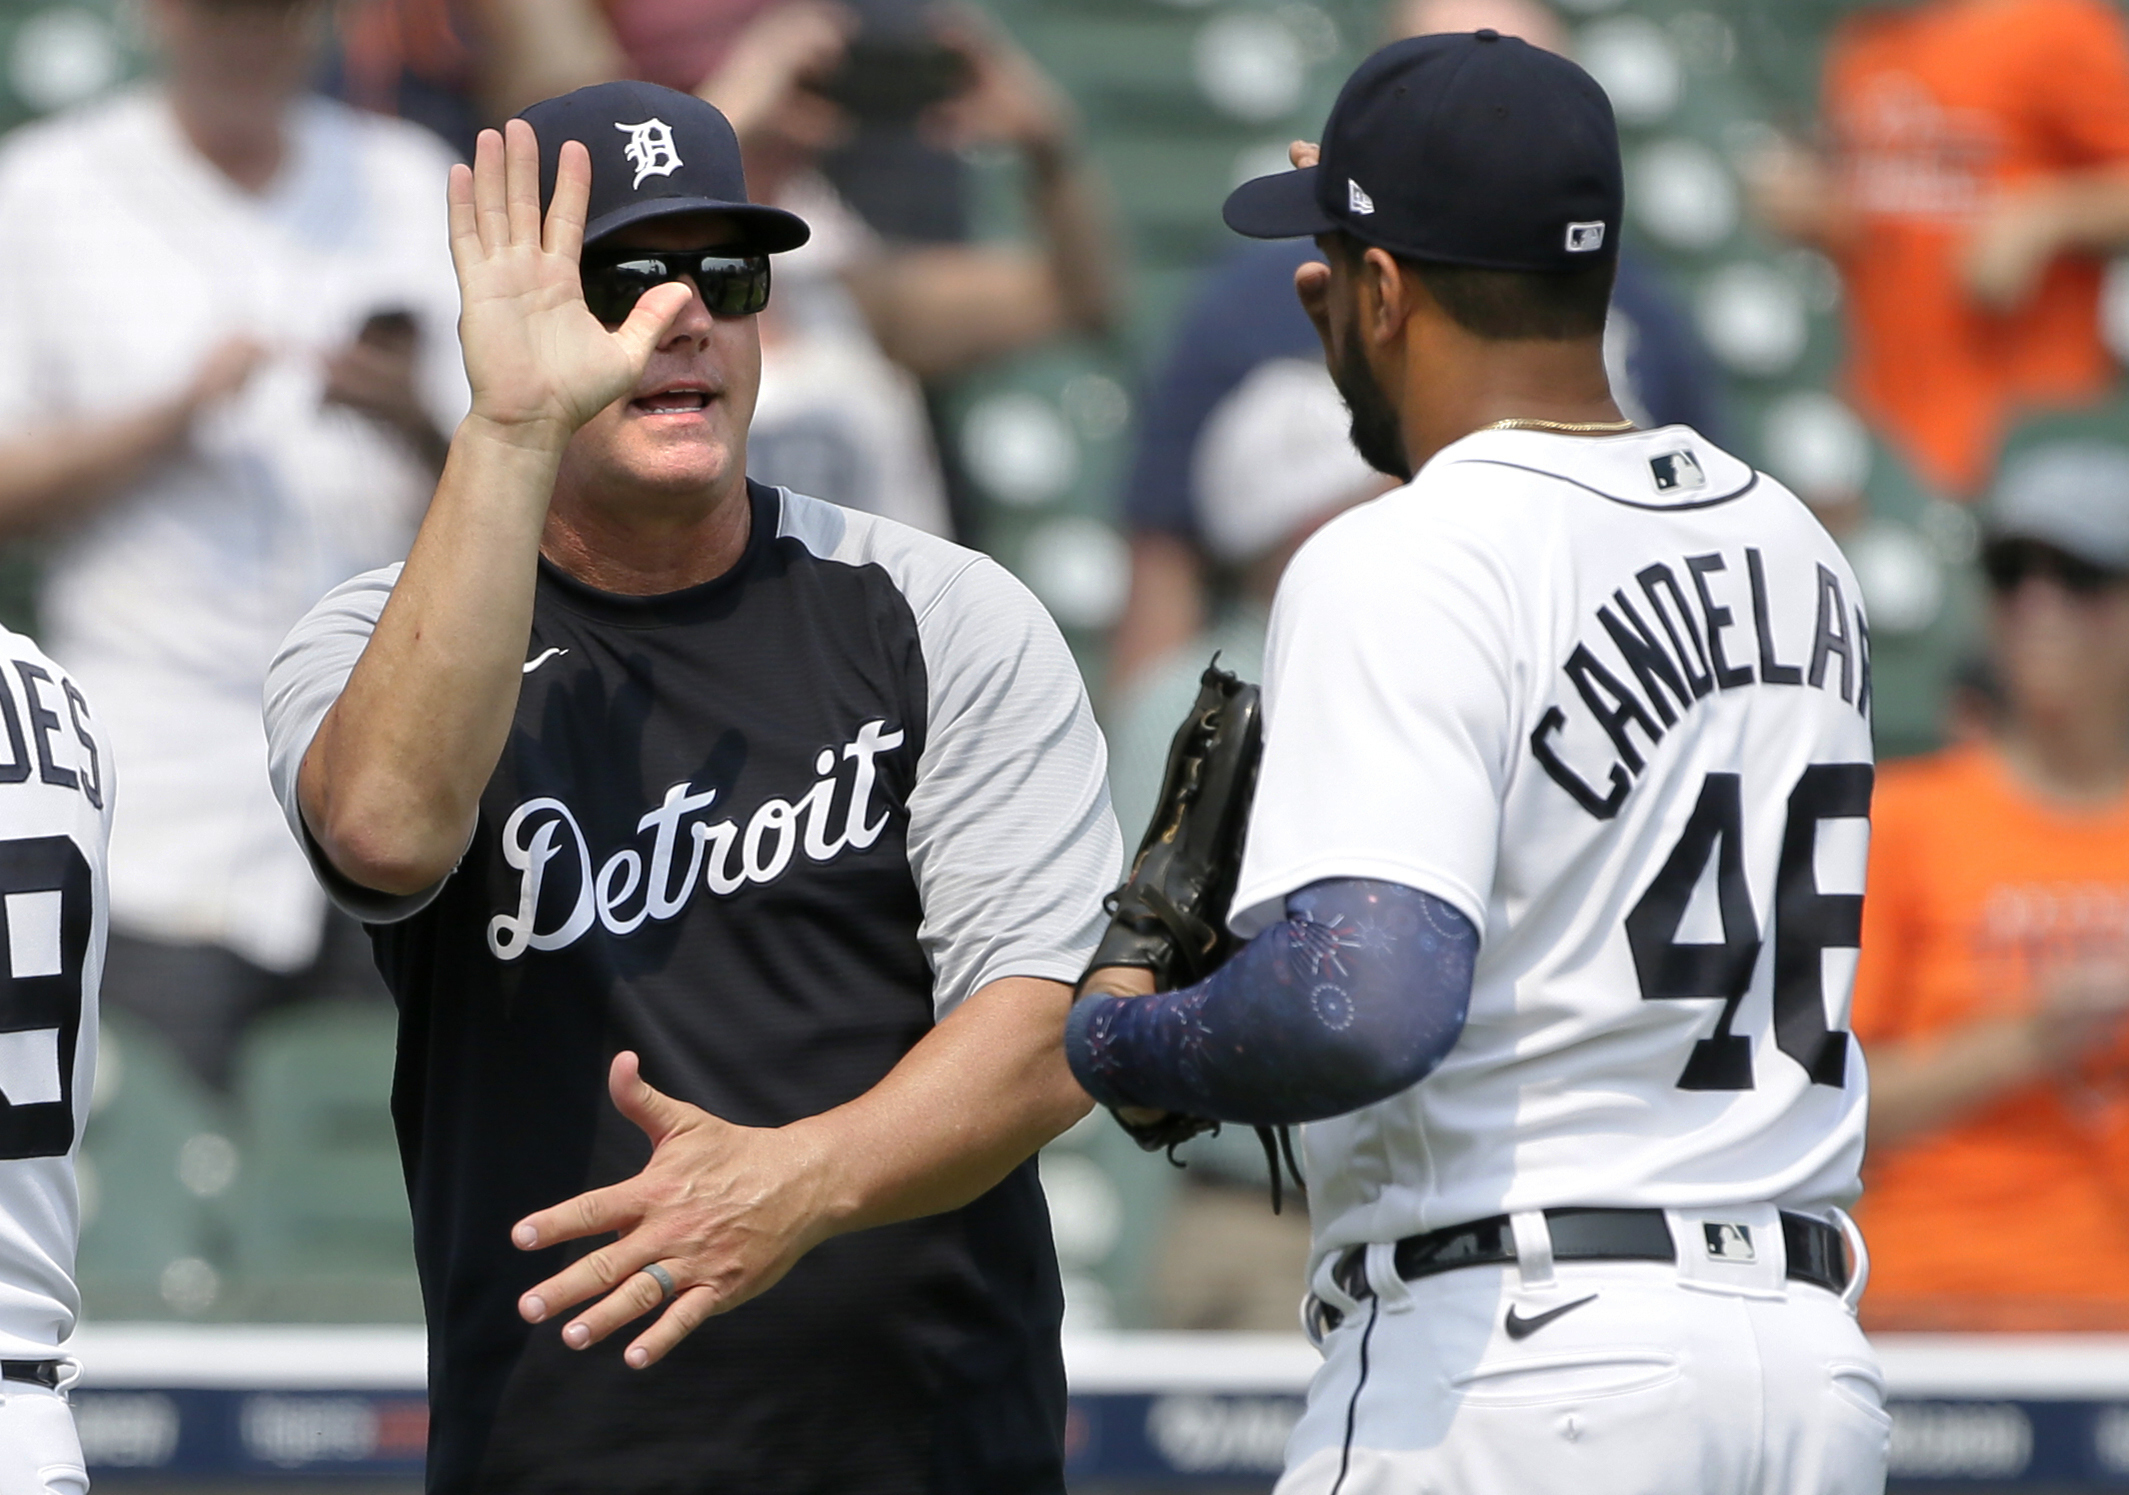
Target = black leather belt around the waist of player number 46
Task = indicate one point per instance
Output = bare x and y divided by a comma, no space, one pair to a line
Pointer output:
1813,1247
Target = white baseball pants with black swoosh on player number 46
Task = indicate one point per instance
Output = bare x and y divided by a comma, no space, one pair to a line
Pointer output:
1653,1379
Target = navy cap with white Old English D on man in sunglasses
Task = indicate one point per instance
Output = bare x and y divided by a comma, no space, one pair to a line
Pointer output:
655,152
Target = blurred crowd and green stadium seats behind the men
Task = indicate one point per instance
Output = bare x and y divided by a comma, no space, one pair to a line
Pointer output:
1872,248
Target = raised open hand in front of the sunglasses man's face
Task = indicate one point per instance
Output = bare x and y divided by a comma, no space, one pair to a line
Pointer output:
538,359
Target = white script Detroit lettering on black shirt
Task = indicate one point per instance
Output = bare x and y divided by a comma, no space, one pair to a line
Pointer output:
633,885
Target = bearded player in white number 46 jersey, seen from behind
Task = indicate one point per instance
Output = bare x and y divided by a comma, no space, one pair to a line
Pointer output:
1555,866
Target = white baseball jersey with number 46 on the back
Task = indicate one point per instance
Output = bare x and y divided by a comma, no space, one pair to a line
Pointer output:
1611,697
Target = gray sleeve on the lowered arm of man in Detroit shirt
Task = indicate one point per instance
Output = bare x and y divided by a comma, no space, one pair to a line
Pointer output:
1010,827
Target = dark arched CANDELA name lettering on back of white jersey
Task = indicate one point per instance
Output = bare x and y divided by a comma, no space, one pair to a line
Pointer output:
1677,636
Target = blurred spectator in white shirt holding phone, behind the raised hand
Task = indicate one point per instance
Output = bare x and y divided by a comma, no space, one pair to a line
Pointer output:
227,369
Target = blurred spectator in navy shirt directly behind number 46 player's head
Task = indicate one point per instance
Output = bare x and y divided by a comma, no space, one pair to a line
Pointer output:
1247,312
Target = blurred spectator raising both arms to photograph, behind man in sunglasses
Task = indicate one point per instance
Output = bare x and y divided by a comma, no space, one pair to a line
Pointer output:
861,321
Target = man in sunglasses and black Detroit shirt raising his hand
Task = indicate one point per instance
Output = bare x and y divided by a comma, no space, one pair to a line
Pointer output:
780,825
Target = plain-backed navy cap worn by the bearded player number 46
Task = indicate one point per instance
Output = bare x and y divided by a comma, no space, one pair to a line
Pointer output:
1466,148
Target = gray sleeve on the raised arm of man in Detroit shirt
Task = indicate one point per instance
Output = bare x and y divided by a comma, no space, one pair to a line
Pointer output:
301,687
